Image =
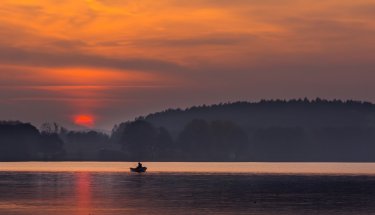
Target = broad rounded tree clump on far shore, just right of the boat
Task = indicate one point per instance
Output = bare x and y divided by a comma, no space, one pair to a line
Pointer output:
212,141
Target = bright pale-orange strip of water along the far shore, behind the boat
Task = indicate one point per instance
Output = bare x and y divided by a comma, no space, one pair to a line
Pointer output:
191,167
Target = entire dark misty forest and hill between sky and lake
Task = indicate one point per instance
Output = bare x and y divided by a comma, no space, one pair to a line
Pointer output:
269,130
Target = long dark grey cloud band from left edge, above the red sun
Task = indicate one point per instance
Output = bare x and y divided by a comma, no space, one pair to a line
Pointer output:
17,56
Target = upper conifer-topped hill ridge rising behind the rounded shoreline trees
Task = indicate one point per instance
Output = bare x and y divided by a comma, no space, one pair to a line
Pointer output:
273,113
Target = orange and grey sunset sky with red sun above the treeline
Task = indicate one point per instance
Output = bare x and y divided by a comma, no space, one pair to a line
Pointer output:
96,63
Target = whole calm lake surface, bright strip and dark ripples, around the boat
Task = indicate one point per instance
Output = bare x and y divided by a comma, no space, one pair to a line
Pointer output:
186,188
